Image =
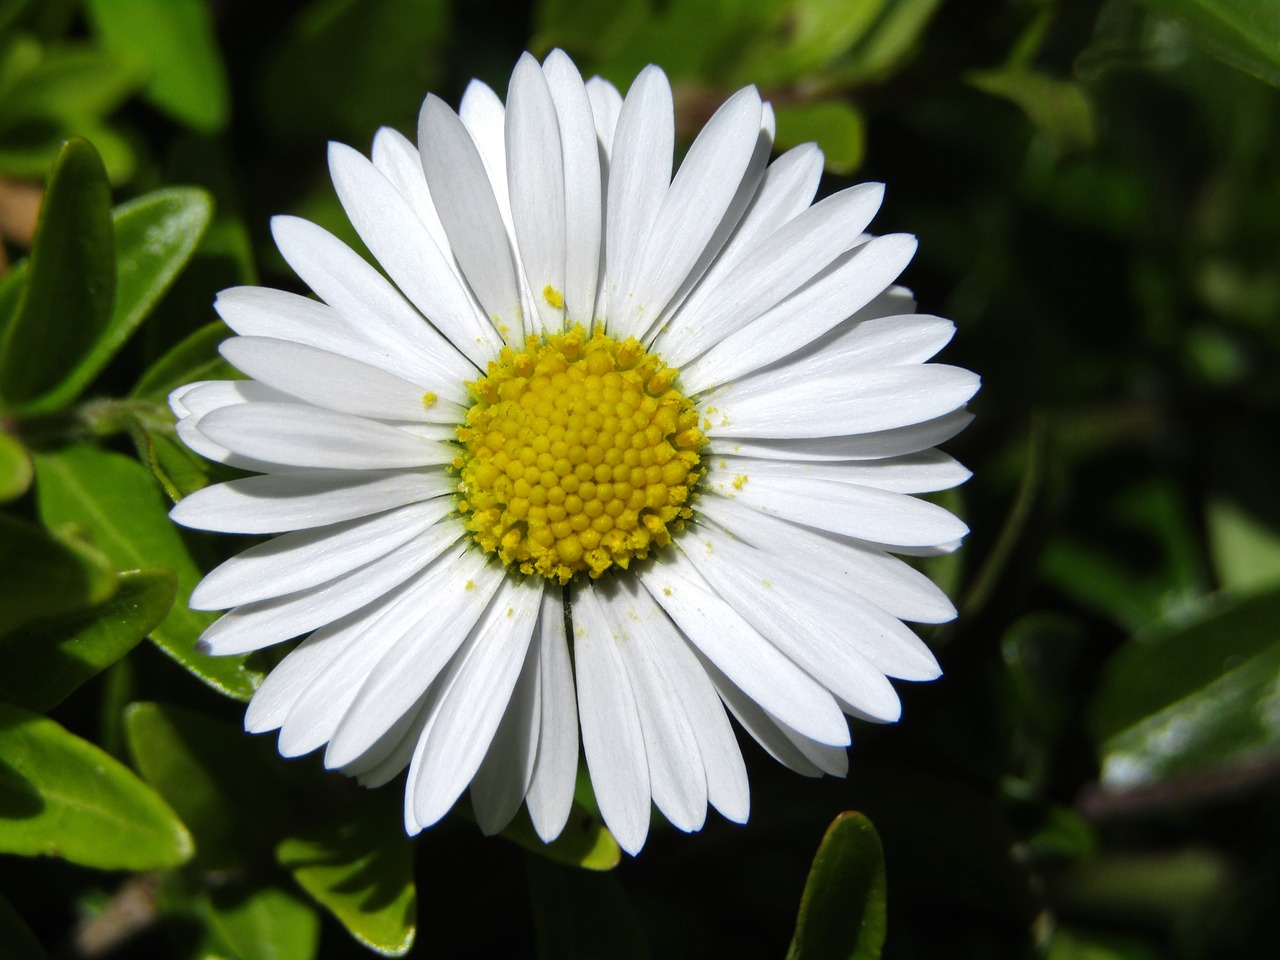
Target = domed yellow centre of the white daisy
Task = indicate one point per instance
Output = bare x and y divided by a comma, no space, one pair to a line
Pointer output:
578,455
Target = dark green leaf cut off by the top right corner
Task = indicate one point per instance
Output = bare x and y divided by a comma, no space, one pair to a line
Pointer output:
1245,34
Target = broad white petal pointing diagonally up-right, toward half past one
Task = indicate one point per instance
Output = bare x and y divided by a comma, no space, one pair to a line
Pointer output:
771,272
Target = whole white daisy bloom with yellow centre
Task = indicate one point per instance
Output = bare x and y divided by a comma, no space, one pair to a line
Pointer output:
504,516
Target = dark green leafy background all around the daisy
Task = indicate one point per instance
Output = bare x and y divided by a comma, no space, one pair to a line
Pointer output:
1096,188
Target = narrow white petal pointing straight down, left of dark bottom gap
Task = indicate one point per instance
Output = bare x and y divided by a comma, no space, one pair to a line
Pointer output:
551,792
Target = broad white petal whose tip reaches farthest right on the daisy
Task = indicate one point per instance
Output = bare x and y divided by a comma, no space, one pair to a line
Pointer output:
883,399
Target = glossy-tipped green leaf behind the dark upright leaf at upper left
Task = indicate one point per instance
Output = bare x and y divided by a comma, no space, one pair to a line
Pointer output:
156,237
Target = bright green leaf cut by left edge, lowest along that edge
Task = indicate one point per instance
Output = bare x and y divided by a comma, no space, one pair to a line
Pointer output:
66,798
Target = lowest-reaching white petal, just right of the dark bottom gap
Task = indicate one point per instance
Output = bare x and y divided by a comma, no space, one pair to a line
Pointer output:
612,739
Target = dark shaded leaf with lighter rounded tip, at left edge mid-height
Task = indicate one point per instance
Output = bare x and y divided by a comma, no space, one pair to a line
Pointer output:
44,575
